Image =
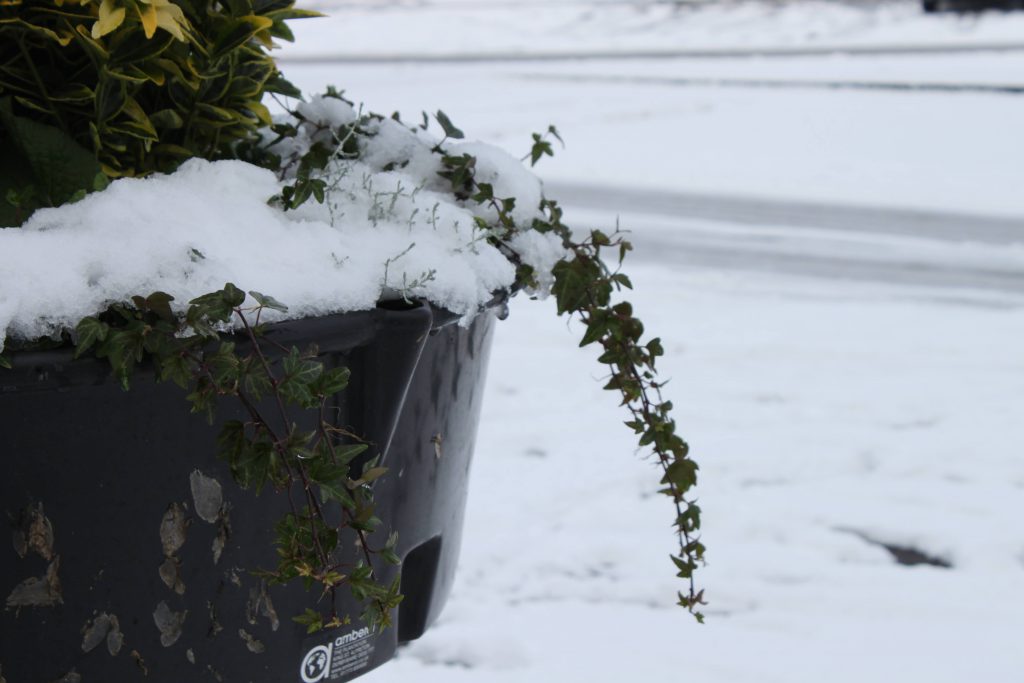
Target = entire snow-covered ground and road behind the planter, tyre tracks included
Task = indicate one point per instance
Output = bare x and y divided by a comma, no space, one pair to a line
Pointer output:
844,387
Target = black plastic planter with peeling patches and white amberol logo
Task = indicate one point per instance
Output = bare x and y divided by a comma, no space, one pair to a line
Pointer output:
100,486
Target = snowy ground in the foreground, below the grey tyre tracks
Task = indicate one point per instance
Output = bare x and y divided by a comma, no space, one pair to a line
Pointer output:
824,415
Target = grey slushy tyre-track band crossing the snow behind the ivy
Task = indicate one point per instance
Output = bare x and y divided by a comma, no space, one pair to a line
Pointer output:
945,254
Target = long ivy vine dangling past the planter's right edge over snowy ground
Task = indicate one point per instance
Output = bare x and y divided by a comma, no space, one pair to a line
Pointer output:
585,288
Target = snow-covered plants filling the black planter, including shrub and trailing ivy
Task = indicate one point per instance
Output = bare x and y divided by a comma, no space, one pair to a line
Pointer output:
434,218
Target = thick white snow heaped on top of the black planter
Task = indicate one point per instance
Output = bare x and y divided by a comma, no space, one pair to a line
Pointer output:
391,229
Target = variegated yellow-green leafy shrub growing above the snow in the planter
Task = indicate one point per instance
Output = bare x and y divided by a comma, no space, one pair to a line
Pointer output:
129,88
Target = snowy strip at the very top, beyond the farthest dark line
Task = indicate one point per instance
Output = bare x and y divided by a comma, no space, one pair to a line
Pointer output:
574,27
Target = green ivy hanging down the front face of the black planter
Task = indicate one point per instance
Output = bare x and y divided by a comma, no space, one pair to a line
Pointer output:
268,449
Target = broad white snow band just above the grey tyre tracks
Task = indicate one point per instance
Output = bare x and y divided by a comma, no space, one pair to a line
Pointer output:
925,151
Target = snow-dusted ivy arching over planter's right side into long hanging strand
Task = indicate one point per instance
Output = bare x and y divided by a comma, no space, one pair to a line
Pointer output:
317,155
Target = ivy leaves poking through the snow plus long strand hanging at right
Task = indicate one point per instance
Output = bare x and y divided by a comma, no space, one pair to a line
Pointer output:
585,287
